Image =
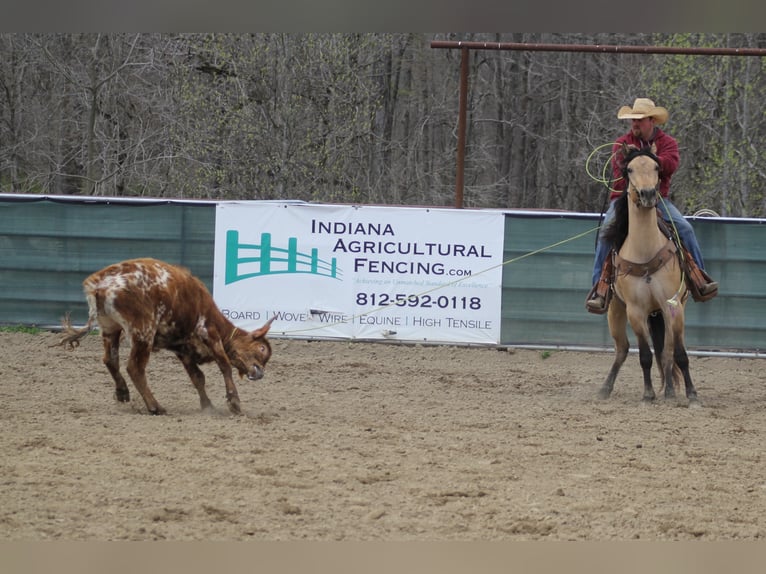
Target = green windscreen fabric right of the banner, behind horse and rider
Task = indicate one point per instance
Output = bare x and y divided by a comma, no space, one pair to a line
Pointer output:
544,293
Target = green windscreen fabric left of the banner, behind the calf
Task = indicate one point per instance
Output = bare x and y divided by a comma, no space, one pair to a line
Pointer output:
47,248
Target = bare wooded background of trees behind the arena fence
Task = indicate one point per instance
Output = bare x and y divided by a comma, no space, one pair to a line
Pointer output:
370,118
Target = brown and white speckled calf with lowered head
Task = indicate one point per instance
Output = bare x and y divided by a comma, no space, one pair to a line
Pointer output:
162,306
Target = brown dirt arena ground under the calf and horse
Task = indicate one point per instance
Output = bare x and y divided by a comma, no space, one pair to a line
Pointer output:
368,442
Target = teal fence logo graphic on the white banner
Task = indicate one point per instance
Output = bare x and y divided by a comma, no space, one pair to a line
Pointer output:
266,259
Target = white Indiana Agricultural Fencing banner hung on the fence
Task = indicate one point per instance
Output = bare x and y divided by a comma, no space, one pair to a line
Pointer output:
328,271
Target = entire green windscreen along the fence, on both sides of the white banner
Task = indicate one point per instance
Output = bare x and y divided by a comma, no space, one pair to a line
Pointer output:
48,246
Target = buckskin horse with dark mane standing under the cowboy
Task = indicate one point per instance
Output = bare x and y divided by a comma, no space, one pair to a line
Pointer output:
649,287
